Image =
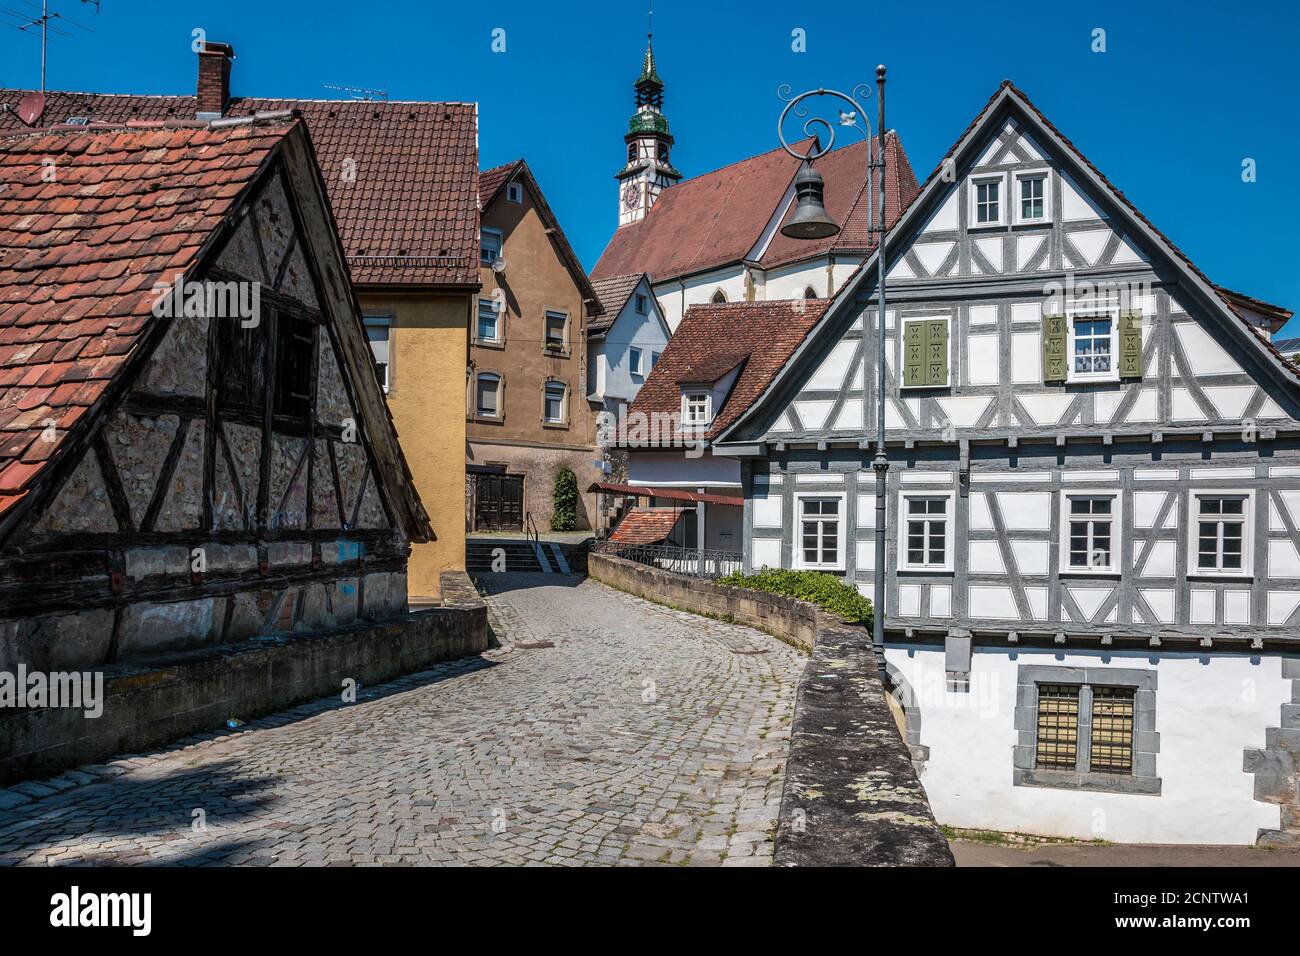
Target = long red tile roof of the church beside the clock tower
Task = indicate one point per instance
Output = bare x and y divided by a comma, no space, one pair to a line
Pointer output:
720,218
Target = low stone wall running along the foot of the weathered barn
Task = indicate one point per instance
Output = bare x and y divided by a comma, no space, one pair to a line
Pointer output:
150,703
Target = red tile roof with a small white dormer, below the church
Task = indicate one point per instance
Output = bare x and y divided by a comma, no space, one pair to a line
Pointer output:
762,335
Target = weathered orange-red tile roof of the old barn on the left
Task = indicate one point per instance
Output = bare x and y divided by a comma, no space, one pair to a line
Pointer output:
80,257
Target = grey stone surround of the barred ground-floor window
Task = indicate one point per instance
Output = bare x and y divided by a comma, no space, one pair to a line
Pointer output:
1143,781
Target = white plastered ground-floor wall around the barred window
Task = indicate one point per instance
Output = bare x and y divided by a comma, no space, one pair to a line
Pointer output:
1210,710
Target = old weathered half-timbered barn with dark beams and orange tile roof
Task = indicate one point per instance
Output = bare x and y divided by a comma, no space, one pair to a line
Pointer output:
235,473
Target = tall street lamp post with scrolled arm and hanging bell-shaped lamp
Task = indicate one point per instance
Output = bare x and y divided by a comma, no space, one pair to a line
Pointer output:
812,222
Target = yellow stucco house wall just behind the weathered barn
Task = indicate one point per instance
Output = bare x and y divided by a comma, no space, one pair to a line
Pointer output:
428,345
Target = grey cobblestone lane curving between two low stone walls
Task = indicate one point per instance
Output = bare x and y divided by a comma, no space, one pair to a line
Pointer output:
604,730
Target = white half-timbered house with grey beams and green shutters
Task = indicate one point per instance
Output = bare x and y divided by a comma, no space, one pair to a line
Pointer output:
1094,504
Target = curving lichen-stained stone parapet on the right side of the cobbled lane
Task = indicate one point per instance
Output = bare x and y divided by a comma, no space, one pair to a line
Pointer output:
852,797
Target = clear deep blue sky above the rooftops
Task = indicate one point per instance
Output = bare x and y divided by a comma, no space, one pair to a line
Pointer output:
1182,96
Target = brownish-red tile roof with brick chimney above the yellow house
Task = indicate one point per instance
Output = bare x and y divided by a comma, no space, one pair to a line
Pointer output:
401,178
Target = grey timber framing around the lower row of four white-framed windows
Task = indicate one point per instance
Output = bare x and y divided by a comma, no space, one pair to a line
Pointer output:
996,471
